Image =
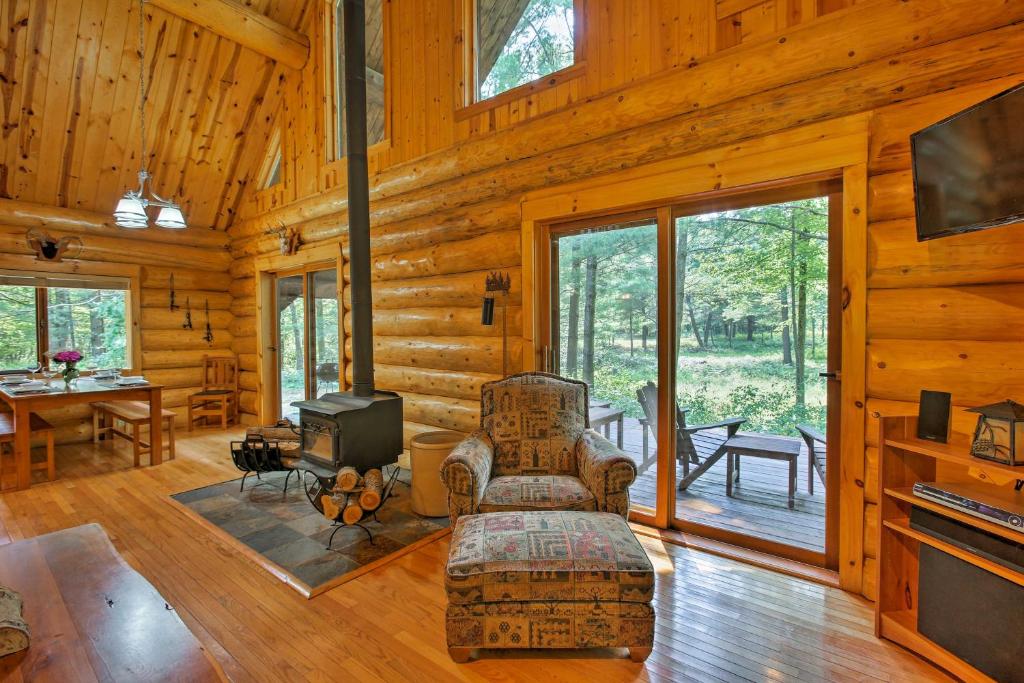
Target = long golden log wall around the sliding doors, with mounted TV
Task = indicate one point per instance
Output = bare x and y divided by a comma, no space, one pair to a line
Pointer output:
661,80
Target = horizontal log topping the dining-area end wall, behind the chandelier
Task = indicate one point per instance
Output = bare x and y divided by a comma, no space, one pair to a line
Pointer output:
18,215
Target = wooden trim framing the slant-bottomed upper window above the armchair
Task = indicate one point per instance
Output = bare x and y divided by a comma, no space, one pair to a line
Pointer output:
468,73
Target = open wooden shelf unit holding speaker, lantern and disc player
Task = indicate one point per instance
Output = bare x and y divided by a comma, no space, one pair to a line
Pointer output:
904,461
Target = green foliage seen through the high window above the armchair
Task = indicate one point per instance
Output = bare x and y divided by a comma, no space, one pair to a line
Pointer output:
541,44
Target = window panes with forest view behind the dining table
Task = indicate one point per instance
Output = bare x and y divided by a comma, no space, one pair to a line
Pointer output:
35,321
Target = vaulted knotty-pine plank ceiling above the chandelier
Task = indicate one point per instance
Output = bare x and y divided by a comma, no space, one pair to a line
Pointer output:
69,92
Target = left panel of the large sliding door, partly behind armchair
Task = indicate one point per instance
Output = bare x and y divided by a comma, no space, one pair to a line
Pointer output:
605,331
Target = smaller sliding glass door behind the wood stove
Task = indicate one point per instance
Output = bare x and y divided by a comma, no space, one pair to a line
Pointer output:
308,349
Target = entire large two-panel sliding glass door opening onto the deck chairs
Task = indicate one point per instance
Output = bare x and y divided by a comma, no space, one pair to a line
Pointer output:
708,334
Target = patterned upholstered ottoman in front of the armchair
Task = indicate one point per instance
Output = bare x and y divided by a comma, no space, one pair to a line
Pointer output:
548,580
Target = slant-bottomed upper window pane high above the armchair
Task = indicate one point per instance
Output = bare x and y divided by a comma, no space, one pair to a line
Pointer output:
520,41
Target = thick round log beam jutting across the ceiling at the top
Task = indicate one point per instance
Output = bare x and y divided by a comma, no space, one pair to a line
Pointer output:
245,27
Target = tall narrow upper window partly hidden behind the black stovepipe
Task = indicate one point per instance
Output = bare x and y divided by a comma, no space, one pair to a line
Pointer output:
376,113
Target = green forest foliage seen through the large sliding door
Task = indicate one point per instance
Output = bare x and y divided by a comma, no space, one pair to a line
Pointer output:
741,271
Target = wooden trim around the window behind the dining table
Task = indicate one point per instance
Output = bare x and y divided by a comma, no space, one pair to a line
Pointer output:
102,275
